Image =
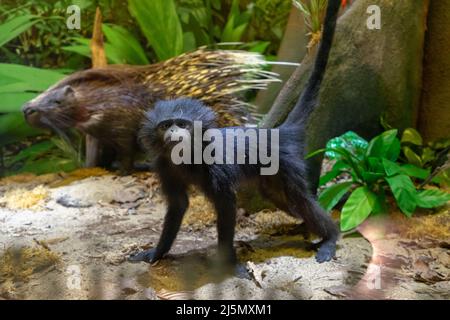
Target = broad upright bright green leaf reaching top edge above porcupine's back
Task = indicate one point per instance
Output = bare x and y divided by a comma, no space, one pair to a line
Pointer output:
160,24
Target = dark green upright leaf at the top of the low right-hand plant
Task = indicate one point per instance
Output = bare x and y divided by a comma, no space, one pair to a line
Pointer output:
386,145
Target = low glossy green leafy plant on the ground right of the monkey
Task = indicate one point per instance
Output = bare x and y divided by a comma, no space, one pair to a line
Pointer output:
374,172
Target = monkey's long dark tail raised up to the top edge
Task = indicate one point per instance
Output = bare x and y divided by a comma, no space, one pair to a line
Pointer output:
308,99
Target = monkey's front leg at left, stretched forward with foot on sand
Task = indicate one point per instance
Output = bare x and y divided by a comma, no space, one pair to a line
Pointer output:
178,203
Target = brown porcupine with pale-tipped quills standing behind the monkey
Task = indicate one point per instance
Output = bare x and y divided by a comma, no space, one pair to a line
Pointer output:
109,103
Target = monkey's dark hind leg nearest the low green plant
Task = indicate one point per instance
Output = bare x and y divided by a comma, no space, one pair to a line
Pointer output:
316,219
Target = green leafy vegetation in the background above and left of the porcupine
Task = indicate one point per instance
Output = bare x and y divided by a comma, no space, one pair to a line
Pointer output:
37,49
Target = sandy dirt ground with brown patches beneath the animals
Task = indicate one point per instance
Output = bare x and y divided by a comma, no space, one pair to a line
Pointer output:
67,236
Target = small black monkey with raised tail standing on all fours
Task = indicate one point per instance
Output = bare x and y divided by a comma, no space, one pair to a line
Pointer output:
288,188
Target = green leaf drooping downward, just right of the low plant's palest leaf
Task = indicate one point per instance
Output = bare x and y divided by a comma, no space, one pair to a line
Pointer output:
404,192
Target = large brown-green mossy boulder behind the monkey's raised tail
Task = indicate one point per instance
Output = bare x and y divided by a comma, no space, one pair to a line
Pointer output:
370,73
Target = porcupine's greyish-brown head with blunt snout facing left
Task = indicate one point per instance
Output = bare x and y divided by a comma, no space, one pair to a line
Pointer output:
55,108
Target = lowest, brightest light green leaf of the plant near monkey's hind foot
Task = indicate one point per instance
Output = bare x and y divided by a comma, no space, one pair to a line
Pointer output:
357,208
